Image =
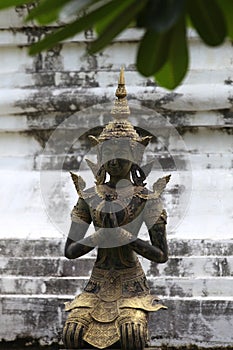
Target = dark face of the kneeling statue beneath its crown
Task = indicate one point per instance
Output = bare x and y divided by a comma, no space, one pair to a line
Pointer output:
117,158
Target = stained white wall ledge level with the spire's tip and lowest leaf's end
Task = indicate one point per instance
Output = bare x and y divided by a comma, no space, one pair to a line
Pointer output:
87,77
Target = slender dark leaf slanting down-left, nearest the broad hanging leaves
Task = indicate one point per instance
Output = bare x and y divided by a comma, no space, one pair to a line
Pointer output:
117,25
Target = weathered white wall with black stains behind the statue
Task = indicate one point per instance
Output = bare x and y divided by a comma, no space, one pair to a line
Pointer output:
38,94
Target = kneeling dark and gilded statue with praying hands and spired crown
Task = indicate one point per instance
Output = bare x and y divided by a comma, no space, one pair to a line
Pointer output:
113,309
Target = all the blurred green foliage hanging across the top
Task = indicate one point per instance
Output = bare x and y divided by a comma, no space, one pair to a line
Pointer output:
163,50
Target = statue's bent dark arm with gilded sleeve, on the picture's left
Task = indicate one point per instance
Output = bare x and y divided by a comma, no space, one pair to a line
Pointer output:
81,220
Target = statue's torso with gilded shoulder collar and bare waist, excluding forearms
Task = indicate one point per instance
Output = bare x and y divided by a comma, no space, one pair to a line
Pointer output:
124,208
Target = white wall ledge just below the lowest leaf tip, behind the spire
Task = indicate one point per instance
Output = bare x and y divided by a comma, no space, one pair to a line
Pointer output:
185,98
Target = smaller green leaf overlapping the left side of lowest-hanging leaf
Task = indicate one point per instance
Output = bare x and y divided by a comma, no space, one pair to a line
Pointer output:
152,52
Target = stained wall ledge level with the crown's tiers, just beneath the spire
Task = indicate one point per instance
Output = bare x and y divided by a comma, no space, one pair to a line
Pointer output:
196,121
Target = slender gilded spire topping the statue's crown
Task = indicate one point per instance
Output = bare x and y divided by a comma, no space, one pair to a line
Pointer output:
120,109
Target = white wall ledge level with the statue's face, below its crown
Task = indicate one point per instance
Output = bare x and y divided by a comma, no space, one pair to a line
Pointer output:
201,161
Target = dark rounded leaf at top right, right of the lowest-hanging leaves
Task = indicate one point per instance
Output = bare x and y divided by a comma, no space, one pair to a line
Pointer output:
208,20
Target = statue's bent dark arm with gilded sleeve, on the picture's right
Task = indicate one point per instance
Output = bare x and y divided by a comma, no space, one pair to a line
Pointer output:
157,251
